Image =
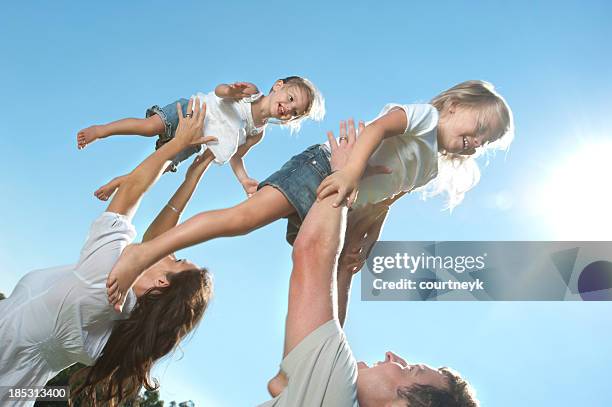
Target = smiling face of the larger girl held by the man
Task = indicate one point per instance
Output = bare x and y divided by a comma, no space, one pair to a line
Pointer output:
461,131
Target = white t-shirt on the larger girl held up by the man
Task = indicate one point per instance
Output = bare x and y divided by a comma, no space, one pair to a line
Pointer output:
412,155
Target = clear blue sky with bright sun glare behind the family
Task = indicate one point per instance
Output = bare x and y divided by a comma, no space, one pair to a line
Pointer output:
68,65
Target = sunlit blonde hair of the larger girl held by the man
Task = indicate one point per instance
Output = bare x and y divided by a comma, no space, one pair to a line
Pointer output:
458,173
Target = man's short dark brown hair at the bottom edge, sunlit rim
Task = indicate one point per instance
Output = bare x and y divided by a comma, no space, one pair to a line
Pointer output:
459,393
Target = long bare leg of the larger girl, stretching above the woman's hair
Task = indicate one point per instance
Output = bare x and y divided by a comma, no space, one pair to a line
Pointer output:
264,207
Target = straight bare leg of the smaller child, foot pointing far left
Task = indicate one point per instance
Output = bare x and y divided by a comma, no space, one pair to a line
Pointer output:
150,126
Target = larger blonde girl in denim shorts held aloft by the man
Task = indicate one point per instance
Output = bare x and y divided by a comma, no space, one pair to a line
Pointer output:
419,143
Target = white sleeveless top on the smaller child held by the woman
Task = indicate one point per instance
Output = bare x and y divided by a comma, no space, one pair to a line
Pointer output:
230,121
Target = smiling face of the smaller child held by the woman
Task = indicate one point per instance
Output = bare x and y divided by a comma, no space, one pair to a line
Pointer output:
288,101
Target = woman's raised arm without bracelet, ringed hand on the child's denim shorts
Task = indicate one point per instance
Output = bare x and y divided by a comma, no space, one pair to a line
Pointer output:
136,183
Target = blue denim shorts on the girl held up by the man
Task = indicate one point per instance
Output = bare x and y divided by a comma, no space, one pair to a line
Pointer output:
298,180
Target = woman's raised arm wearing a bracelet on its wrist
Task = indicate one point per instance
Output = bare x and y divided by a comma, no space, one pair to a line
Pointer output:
170,214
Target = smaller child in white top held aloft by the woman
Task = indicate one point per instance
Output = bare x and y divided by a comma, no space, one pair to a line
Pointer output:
237,116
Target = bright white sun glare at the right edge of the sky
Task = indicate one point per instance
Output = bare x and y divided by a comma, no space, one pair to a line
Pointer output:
575,200
